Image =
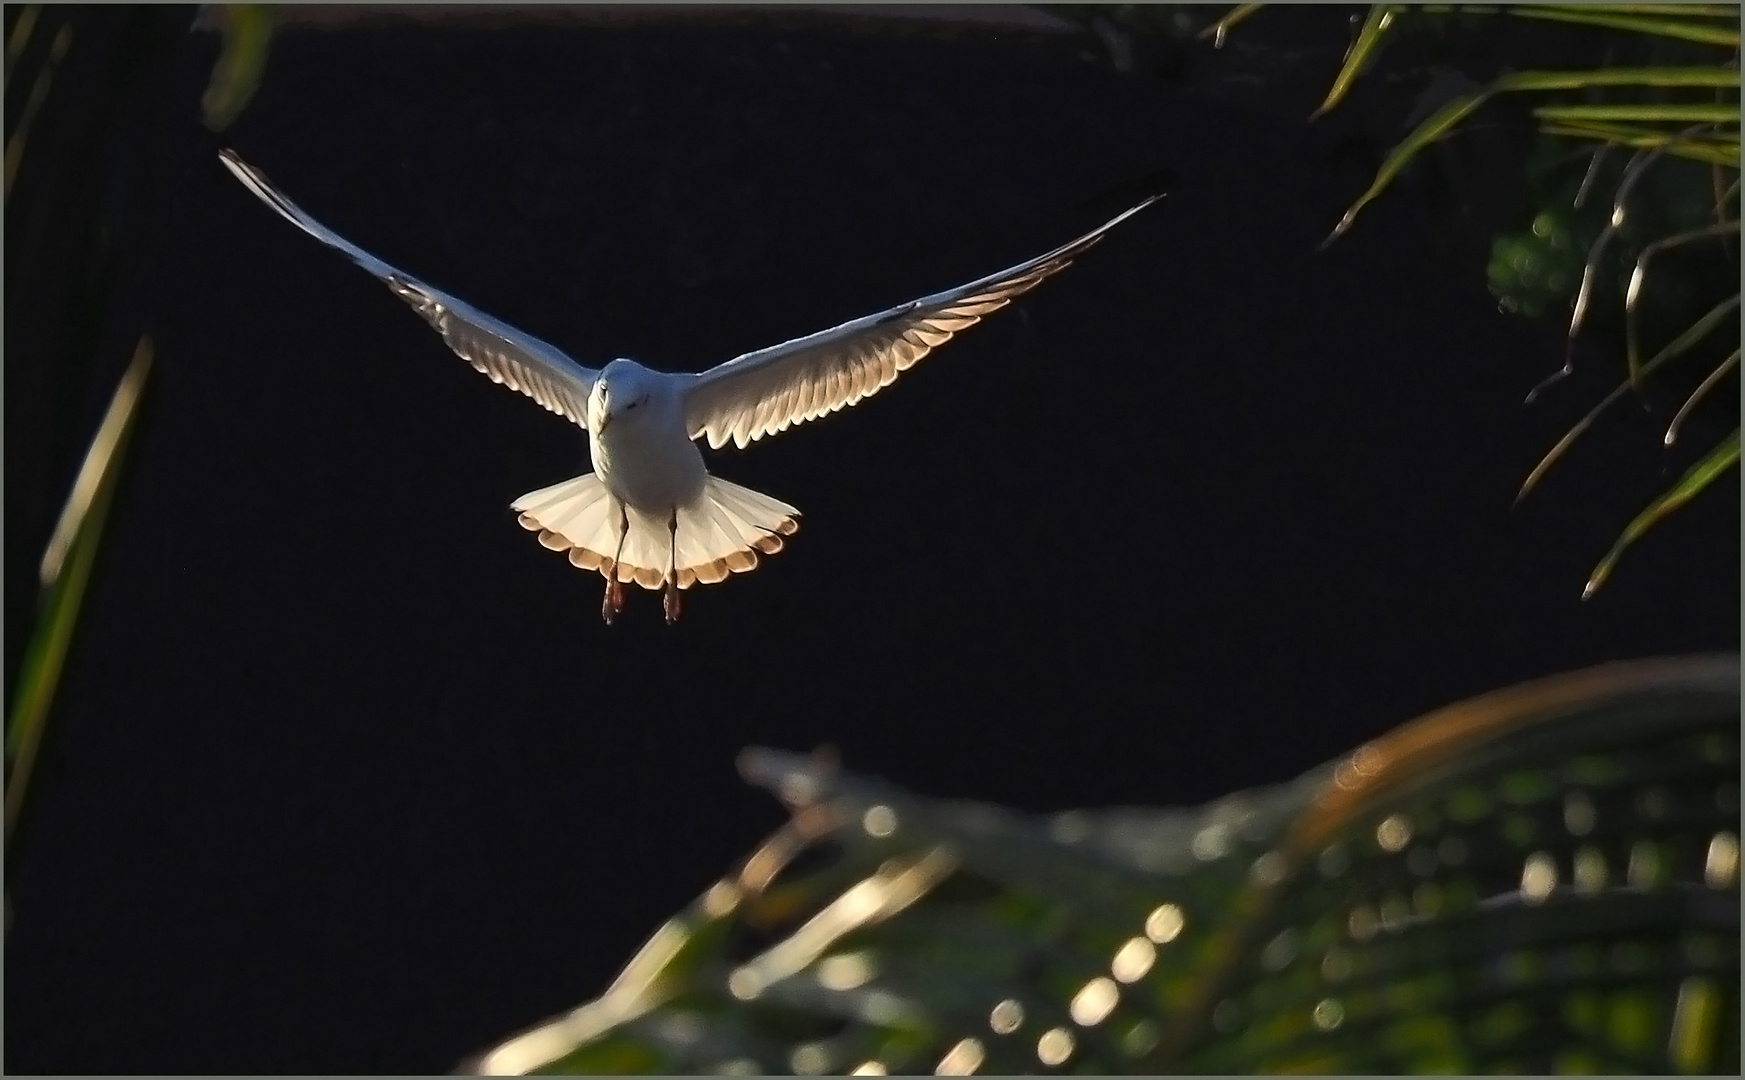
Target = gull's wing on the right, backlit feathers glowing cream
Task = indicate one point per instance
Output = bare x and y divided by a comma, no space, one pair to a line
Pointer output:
765,392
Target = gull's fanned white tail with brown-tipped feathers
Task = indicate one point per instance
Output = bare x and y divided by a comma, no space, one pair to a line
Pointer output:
722,531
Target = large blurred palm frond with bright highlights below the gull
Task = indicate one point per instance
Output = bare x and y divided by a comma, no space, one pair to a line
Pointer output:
1538,880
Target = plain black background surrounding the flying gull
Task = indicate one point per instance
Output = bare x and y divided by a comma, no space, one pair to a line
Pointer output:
346,774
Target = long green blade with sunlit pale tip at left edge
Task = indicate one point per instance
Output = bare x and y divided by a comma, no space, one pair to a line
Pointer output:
46,653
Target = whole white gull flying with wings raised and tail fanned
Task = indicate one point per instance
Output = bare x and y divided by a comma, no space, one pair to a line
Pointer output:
652,514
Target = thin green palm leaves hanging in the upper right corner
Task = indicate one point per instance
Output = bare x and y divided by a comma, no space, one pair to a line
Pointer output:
1659,132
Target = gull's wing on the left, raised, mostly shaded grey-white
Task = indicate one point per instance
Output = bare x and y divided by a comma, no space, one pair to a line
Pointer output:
517,360
